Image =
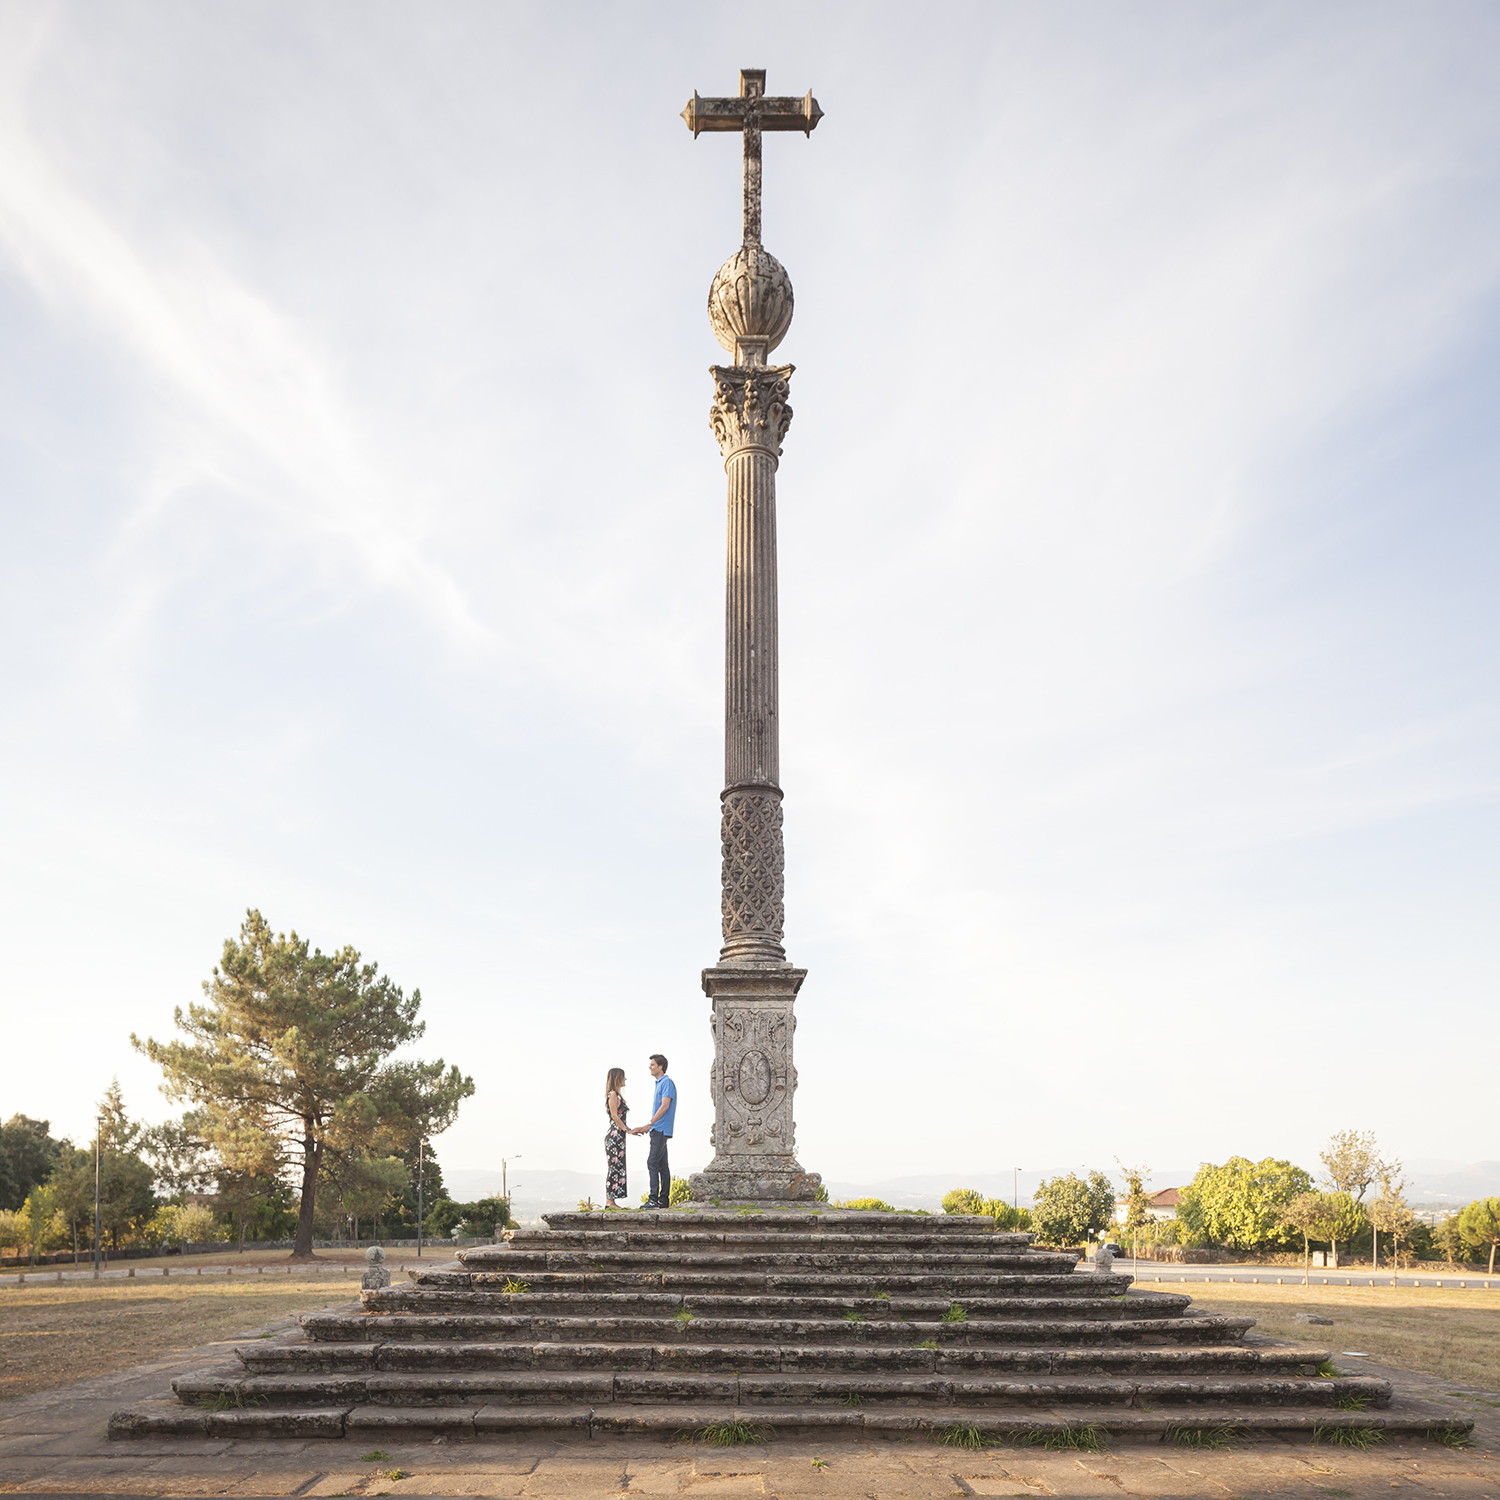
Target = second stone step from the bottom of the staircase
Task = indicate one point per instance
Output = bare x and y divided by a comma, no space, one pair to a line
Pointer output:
962,1385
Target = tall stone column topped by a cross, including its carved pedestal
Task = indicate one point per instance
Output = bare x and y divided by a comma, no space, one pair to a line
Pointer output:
752,986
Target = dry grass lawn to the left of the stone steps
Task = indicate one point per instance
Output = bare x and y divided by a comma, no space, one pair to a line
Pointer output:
53,1334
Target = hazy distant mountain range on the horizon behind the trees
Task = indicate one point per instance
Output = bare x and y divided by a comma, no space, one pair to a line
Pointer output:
538,1193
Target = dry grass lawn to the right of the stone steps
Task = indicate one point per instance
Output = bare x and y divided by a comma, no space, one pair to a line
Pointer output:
1432,1330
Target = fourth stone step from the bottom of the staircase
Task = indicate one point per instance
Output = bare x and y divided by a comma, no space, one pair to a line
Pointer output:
1118,1325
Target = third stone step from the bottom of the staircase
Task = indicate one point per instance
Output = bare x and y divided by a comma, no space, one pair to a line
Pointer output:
358,1360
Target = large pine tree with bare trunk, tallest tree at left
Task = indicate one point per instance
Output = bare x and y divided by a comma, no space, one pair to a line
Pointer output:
290,1063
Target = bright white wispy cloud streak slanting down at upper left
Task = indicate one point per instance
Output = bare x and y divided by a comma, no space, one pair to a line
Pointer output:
245,398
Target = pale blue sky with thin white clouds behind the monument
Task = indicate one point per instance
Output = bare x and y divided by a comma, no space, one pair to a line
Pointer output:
362,559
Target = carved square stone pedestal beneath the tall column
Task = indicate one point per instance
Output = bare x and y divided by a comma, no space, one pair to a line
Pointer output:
754,1079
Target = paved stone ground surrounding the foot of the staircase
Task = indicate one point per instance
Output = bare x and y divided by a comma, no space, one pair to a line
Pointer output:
55,1444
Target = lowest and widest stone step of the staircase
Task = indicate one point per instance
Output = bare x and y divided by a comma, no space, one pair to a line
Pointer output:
668,1423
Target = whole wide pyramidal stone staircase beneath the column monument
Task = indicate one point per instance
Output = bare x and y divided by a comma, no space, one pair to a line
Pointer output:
671,1324
